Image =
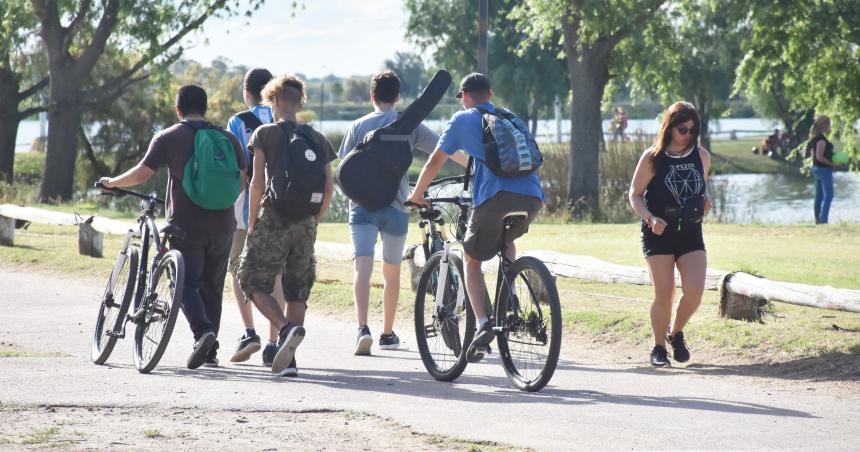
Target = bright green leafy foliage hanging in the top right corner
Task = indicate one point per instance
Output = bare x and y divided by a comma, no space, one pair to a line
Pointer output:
806,55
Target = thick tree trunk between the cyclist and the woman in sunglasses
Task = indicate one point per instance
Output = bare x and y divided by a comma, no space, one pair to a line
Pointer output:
589,74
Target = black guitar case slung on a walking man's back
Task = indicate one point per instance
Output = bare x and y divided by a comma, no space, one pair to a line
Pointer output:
370,174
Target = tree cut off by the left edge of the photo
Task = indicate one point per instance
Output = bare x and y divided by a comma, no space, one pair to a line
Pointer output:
19,82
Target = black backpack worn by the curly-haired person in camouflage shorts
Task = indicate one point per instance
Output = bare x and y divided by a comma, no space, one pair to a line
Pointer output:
297,186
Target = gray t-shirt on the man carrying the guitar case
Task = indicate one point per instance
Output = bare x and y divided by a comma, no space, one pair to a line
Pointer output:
422,138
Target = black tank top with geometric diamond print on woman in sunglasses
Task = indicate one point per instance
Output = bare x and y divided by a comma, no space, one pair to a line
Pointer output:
678,185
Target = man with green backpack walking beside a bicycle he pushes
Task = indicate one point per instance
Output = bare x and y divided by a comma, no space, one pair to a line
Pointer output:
206,173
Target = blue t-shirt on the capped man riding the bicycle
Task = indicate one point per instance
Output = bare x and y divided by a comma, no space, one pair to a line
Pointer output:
465,132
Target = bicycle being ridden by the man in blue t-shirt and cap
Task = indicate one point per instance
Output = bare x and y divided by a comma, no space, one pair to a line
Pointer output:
526,307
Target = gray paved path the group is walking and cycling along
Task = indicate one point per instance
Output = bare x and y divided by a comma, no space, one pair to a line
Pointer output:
586,406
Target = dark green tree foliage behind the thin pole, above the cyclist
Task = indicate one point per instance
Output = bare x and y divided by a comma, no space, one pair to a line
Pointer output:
526,78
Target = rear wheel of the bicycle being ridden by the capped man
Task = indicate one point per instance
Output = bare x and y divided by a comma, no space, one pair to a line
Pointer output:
531,342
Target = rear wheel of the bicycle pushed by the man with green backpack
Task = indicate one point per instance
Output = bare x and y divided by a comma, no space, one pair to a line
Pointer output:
160,308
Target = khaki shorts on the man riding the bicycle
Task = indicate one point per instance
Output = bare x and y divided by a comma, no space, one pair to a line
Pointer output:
486,224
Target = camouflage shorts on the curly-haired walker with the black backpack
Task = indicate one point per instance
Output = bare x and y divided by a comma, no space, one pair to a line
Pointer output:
275,245
